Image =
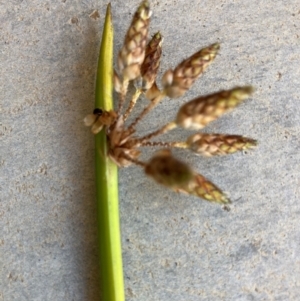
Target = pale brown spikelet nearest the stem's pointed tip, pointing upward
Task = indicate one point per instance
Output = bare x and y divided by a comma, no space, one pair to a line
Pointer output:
132,54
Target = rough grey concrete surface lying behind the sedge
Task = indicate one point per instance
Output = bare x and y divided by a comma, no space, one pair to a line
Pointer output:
175,247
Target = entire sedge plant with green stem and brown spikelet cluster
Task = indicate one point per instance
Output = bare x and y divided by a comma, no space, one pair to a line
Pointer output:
118,145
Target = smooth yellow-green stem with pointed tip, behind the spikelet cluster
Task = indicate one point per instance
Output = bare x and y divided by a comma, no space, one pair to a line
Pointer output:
110,252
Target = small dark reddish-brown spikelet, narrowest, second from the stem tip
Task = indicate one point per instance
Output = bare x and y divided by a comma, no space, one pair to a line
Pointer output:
151,62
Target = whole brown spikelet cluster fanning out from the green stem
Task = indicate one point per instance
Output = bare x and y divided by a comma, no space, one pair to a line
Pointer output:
139,62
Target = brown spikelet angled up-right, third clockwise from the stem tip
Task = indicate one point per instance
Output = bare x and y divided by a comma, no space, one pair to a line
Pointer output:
178,81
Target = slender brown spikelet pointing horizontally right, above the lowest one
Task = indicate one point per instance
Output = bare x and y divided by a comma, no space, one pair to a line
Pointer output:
218,144
